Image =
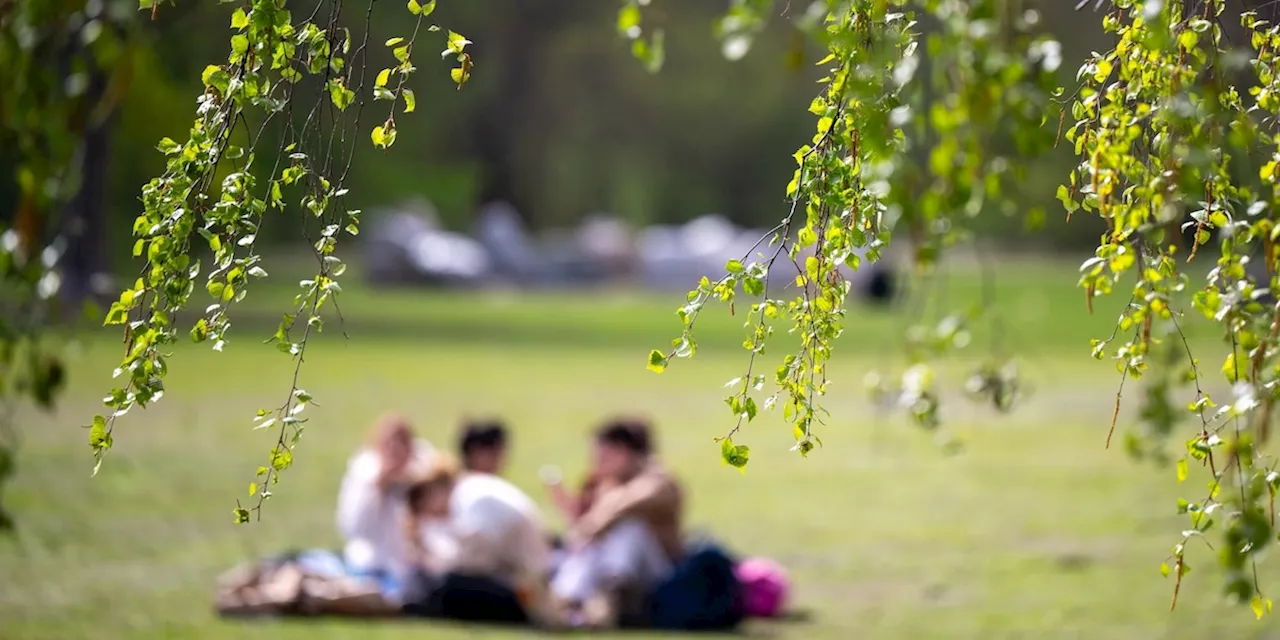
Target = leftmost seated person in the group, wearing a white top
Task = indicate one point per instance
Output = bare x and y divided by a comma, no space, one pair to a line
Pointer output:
372,504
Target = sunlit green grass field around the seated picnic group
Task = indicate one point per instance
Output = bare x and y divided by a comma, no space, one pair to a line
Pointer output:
1034,531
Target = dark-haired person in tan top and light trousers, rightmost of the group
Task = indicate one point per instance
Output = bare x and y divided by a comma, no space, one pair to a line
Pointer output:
628,538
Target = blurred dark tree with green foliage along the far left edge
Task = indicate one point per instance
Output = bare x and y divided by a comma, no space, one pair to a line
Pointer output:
66,66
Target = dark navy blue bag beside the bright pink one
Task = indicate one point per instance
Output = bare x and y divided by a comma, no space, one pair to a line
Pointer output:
701,595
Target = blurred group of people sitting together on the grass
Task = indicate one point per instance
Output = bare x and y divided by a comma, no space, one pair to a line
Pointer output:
446,536
